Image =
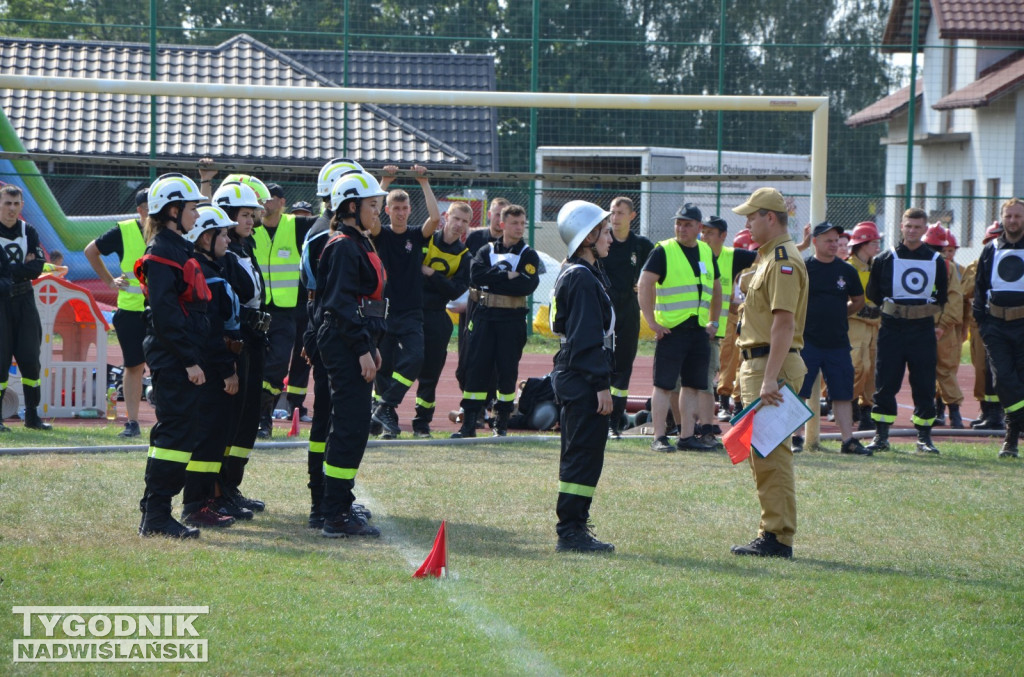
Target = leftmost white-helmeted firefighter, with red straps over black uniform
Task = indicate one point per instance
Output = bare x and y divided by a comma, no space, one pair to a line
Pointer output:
177,298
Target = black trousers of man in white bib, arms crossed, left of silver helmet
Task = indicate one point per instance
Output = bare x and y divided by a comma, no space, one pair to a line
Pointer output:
494,342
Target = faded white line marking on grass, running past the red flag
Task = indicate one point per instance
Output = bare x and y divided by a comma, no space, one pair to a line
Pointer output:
518,650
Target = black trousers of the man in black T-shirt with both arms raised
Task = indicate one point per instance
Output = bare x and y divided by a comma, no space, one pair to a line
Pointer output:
402,356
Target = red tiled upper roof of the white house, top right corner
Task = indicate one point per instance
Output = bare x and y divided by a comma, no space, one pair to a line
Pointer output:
986,20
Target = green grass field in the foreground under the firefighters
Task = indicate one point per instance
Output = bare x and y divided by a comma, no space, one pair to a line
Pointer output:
905,565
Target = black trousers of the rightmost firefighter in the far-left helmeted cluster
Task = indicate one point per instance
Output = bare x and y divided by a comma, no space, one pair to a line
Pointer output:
244,421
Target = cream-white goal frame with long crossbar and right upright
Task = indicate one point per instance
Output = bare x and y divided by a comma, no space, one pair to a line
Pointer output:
817,106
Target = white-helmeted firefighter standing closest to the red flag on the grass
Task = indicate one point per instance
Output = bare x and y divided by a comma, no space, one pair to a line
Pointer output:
349,322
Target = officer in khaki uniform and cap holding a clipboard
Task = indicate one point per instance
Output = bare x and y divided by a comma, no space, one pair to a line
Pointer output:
772,335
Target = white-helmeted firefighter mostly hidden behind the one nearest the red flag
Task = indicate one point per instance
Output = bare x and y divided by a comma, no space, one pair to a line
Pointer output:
321,426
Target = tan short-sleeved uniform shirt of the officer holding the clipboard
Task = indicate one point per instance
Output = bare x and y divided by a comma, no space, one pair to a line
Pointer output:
780,283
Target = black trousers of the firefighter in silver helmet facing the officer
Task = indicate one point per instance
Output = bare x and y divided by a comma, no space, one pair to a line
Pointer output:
584,436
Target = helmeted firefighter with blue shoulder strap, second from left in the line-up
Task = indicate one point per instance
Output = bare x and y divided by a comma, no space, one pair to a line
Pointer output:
224,345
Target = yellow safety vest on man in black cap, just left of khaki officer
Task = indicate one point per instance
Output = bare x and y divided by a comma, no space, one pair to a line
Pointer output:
677,300
